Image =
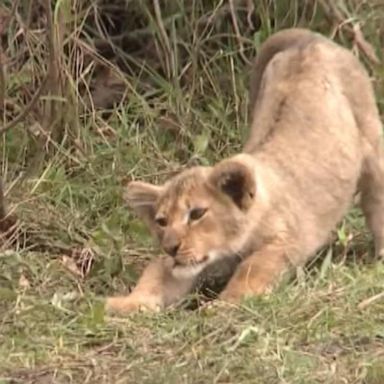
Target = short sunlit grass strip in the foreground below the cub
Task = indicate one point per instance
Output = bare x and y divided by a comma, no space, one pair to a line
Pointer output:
53,330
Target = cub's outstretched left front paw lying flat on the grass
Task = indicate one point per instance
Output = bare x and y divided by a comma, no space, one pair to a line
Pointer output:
127,304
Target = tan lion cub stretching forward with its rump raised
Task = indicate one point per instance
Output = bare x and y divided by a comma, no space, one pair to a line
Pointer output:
315,140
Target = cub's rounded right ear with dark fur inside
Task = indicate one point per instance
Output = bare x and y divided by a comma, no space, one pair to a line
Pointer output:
235,180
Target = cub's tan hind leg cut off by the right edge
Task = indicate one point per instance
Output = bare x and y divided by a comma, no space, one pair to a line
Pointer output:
372,197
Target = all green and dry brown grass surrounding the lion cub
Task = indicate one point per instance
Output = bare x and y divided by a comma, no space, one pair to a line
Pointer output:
94,93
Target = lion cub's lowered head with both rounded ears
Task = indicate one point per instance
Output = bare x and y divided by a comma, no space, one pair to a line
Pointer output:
199,215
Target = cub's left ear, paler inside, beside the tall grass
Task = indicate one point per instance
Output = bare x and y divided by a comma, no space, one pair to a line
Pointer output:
142,198
